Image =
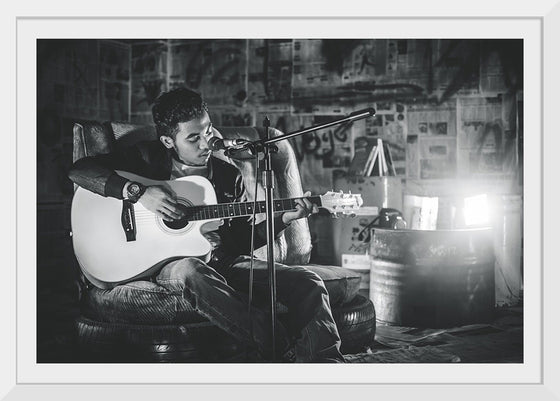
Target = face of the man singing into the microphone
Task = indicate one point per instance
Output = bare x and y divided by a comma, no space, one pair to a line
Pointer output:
191,141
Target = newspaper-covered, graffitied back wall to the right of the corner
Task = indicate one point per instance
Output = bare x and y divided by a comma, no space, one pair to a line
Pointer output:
447,108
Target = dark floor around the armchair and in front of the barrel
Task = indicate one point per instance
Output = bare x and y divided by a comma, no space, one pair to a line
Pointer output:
500,341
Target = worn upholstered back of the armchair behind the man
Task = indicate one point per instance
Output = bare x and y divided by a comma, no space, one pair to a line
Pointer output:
293,247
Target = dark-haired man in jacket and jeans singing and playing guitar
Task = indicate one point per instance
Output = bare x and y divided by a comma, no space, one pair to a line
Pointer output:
216,286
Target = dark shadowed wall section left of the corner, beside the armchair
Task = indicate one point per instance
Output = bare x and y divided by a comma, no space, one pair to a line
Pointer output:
76,80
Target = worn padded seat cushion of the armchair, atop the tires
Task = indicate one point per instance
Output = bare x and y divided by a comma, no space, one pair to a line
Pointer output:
145,302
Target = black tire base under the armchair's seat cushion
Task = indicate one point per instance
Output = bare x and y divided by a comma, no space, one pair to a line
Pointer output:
203,341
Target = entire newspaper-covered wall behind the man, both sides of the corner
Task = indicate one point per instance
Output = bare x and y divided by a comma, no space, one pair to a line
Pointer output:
449,109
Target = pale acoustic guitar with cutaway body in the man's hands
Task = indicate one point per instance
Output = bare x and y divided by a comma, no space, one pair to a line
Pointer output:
116,241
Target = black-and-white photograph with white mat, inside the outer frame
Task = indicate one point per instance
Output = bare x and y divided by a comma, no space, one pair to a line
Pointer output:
303,206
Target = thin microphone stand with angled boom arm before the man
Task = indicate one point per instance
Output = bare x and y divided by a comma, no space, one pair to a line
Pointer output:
267,147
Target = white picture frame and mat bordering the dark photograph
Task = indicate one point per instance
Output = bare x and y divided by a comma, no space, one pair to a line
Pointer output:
22,378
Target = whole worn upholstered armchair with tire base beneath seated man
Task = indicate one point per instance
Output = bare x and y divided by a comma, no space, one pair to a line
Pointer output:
153,325
